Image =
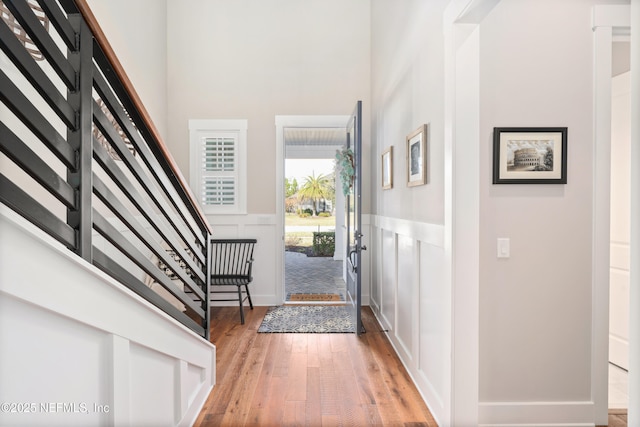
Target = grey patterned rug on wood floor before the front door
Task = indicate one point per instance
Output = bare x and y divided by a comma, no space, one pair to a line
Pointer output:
307,319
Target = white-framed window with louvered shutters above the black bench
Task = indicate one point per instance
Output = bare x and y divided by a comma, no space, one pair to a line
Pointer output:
218,165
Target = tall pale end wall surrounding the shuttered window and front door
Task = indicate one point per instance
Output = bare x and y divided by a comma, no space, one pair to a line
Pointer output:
255,60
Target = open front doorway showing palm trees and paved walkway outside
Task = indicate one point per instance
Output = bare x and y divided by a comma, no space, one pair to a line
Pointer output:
313,216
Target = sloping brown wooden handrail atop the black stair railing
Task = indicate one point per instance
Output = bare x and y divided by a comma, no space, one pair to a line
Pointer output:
100,37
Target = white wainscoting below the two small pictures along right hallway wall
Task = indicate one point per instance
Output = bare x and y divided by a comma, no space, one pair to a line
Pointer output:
408,297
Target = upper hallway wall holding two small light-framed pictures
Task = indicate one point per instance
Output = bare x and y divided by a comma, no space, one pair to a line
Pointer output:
408,91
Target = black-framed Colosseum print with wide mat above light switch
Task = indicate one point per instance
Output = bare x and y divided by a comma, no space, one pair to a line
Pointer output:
529,155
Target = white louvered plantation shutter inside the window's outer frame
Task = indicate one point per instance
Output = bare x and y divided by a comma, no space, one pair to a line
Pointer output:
219,172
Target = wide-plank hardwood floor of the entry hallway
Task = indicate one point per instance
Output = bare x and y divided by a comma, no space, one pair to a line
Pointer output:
307,379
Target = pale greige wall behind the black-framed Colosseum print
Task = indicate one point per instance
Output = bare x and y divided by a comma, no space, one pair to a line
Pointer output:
536,308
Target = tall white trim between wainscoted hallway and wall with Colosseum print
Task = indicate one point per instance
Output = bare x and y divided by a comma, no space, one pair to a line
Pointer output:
462,207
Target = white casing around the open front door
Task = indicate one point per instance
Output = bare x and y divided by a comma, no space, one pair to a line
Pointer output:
282,122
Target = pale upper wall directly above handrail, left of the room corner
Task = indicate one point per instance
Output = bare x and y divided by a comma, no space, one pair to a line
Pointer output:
137,32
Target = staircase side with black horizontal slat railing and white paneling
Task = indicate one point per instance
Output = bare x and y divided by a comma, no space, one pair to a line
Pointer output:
104,252
